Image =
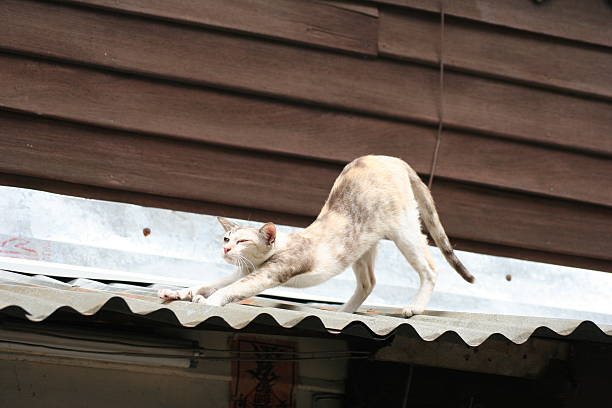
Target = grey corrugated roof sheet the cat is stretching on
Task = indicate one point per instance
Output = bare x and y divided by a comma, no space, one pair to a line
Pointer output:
40,296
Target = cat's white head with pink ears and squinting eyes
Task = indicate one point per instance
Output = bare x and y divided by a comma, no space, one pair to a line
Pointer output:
247,247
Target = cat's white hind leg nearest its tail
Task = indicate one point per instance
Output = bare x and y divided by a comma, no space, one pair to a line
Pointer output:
413,245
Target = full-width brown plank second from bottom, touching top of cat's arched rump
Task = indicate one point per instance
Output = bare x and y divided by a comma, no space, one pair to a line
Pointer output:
201,115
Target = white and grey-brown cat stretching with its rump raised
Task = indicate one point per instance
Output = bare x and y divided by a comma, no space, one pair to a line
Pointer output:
375,197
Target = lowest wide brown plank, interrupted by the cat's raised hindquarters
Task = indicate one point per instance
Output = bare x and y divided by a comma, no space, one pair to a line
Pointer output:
132,162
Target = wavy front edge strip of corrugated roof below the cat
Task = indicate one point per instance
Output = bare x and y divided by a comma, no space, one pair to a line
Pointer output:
39,303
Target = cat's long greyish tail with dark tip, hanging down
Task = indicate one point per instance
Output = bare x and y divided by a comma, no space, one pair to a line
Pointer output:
430,217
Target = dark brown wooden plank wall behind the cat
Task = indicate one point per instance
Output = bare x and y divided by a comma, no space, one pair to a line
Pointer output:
251,108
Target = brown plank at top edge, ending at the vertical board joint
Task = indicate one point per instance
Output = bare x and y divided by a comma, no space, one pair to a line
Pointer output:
315,23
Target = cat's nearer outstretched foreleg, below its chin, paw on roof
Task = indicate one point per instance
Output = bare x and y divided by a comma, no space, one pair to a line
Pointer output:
265,277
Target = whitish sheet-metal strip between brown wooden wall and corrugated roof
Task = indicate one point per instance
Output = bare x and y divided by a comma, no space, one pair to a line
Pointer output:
68,237
